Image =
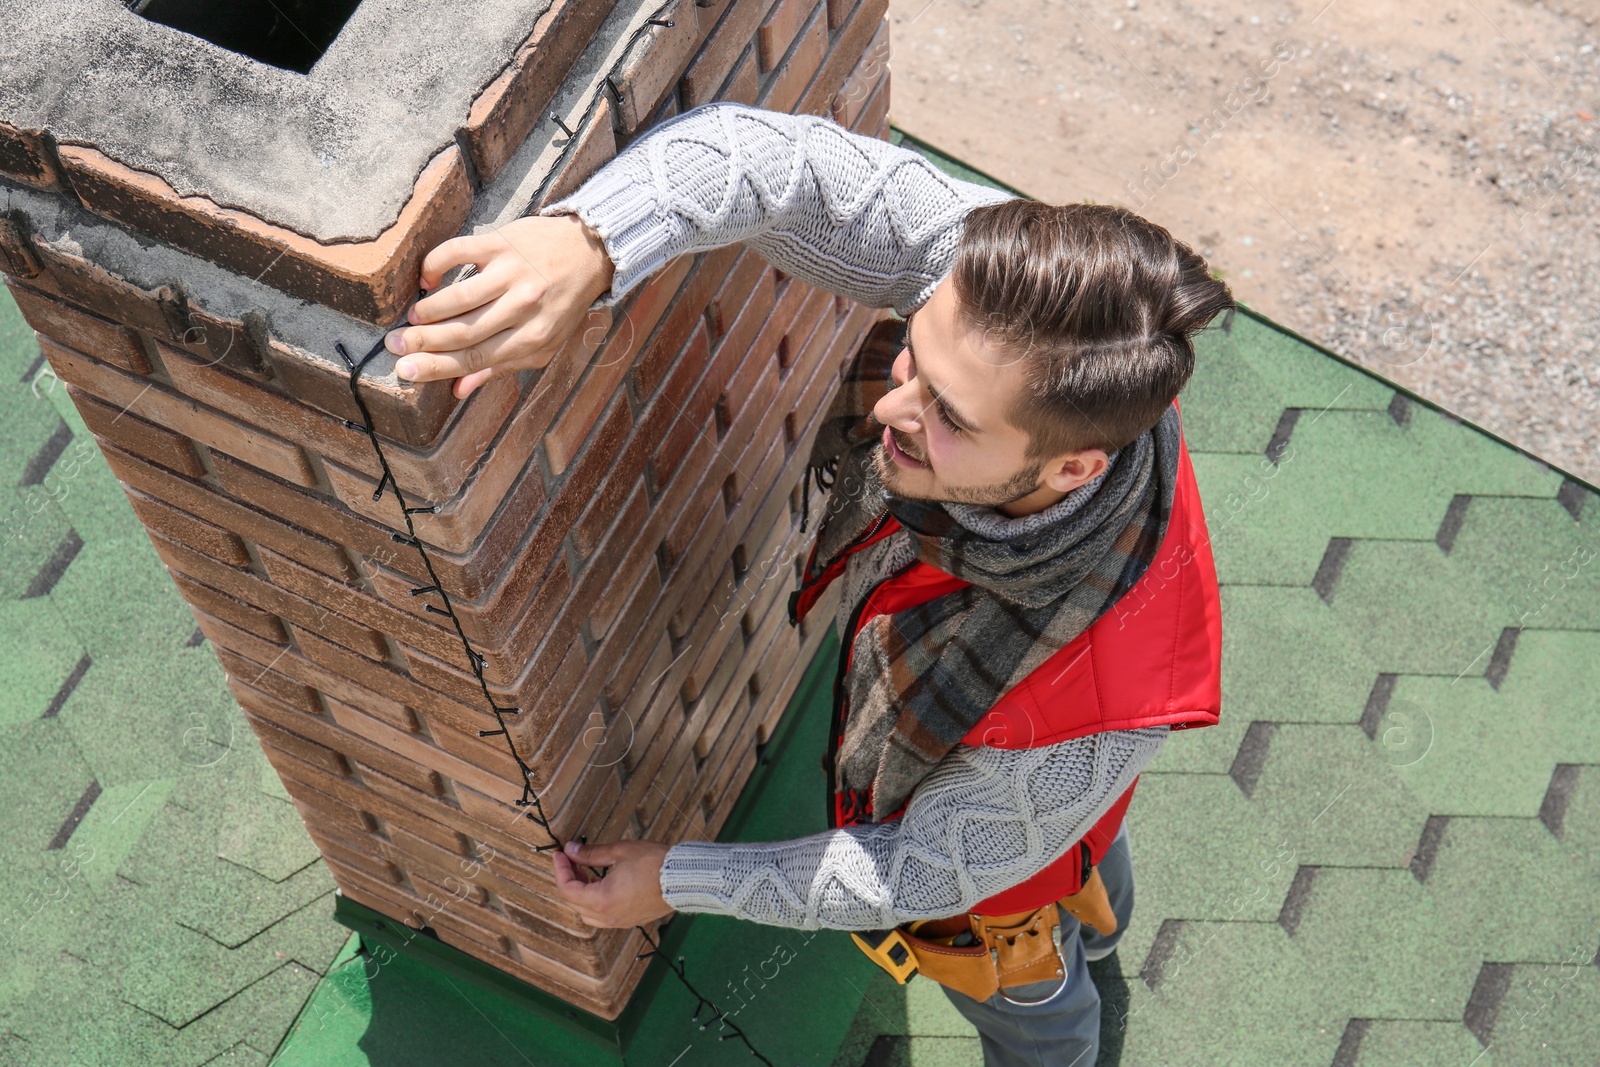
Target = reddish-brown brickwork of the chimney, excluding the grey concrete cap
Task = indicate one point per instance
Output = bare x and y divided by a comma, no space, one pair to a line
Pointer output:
617,533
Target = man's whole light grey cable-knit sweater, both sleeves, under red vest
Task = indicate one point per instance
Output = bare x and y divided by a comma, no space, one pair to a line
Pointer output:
879,225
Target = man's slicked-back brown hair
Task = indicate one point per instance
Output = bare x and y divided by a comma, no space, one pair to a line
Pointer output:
1098,305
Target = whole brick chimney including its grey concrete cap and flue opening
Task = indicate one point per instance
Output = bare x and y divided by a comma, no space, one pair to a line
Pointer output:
199,207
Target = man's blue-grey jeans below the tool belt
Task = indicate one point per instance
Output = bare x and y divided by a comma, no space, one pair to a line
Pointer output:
1063,1031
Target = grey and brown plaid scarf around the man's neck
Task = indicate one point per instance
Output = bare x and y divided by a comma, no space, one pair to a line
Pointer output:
924,677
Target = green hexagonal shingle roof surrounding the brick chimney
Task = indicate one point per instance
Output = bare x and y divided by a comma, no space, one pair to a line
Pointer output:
1385,853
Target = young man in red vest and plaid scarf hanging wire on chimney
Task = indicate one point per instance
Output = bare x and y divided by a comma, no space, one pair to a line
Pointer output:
1028,605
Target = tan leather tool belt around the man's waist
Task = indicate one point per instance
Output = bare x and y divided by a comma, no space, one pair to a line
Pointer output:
985,954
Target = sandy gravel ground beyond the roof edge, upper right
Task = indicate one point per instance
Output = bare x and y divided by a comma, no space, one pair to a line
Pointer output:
1414,186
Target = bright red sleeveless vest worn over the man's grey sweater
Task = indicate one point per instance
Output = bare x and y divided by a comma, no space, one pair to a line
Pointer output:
1154,658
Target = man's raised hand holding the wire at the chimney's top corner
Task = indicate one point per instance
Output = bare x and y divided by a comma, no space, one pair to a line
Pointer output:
537,278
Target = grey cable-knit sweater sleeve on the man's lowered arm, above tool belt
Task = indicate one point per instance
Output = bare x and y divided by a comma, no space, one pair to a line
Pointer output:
983,821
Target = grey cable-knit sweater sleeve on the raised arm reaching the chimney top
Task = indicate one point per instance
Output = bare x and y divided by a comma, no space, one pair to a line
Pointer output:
839,210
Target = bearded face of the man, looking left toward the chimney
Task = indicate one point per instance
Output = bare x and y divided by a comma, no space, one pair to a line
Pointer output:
946,431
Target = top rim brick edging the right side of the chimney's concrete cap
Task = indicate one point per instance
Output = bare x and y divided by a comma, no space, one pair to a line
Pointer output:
514,103
